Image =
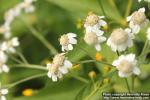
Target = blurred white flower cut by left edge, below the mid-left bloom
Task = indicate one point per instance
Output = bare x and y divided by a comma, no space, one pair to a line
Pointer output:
3,60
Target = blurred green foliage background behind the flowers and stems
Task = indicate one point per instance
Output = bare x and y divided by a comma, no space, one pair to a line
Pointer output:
51,19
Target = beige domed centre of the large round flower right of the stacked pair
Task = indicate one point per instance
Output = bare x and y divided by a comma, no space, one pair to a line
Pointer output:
119,36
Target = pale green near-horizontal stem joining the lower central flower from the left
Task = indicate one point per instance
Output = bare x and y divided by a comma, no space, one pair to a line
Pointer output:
29,66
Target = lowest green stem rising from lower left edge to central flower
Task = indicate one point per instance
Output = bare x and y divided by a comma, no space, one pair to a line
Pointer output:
24,80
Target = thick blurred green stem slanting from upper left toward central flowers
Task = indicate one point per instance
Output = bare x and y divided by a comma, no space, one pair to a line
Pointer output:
39,36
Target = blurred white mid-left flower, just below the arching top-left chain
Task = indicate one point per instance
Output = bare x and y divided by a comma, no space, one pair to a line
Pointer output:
10,45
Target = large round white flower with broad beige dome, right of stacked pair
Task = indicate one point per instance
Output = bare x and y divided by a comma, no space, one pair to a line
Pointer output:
120,39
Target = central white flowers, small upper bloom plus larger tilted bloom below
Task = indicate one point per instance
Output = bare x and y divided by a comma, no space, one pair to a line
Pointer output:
60,64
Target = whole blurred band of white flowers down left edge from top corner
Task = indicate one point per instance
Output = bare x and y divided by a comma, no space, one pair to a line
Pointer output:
9,44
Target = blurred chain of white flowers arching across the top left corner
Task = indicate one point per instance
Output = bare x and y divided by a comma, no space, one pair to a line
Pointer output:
10,15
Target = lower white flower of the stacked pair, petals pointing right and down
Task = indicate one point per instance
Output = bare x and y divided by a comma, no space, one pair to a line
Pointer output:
94,38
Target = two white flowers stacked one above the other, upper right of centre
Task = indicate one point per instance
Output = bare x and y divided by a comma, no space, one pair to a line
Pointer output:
94,34
